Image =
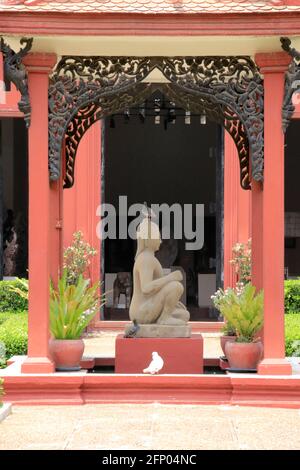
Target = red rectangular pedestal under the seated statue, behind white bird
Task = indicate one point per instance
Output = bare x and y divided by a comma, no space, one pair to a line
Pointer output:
180,355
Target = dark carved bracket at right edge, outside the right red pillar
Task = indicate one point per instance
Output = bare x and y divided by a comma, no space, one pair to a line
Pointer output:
292,82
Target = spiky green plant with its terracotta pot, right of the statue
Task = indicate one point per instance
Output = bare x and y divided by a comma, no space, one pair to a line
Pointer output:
243,310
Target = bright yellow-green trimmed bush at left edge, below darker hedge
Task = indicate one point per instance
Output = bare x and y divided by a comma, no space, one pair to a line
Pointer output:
13,333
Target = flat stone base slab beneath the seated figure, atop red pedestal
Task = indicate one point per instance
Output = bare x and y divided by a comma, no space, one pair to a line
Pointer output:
160,331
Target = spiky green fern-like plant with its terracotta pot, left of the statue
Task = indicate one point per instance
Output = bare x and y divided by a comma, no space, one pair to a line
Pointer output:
72,307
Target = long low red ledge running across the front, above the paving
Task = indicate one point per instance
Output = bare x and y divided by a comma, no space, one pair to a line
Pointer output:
229,389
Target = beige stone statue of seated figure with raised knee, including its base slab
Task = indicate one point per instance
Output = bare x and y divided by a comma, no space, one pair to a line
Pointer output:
155,304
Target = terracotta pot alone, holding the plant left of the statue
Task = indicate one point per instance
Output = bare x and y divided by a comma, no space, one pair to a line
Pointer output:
66,353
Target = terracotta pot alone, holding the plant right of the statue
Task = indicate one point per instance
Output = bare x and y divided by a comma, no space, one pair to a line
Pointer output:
243,356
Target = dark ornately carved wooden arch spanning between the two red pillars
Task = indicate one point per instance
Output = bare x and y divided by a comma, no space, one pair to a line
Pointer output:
228,89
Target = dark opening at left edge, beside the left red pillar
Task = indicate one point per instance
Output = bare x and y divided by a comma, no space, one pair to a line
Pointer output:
14,197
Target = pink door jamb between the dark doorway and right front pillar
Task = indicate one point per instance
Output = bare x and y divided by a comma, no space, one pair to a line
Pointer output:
236,208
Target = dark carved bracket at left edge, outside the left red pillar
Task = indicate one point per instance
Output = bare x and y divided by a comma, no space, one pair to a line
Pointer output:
15,72
